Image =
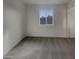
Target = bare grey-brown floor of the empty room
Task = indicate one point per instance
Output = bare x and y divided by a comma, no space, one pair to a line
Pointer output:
43,48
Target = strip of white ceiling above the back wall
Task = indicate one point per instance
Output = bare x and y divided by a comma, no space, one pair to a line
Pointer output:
45,1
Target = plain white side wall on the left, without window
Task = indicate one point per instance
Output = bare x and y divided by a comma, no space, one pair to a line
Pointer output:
12,24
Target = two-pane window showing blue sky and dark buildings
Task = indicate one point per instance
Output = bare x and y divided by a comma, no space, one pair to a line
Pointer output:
46,17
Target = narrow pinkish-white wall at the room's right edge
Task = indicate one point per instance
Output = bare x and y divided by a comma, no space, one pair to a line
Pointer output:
71,18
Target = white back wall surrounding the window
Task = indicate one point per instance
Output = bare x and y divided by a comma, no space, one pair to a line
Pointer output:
32,21
